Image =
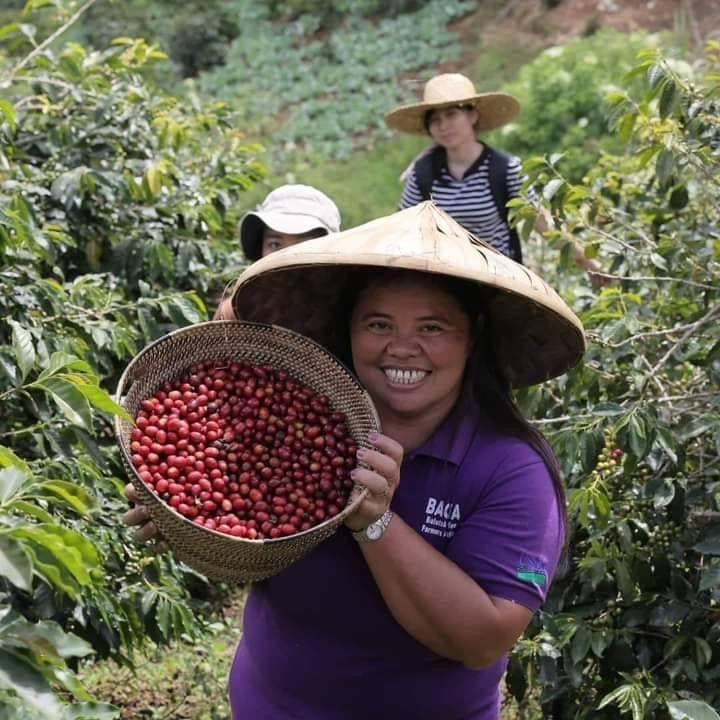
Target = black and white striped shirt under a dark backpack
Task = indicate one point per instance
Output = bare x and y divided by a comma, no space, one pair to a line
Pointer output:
469,201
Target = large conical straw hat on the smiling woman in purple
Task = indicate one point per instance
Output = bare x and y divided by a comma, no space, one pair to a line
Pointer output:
535,335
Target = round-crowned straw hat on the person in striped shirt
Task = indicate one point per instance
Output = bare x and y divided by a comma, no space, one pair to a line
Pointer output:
449,90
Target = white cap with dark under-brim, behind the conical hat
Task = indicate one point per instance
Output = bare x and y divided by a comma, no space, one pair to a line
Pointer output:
289,209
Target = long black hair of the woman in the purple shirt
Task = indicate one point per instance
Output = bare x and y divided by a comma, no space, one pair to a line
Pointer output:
483,377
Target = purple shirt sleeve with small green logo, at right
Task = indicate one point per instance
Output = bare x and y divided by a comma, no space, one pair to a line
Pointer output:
511,541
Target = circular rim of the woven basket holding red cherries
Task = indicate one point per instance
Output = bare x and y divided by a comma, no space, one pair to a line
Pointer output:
358,493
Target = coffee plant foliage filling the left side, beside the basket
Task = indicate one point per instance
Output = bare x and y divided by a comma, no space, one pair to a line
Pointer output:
118,212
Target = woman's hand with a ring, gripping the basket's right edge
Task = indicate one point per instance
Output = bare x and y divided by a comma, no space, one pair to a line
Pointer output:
381,478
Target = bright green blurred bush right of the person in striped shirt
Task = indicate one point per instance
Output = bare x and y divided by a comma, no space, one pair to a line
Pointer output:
562,93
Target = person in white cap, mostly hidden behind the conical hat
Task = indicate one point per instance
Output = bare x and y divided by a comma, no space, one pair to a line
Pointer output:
288,215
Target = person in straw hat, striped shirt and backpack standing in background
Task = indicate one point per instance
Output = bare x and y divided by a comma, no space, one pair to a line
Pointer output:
467,178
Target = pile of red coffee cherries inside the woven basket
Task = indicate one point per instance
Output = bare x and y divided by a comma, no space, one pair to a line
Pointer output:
245,450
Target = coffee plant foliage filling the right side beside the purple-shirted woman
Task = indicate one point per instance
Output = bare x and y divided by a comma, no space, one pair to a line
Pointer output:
632,625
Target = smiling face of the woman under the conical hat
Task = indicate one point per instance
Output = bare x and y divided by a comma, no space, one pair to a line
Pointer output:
410,341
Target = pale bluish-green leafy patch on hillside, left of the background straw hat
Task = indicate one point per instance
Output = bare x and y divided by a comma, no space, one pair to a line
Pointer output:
320,95
